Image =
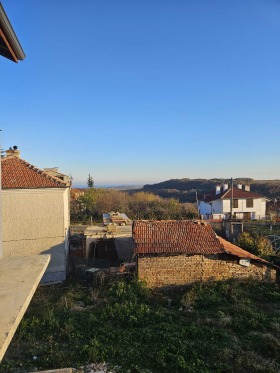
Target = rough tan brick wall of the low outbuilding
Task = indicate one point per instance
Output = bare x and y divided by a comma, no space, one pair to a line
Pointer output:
181,270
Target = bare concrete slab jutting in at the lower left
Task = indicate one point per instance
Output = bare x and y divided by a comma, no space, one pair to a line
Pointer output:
19,278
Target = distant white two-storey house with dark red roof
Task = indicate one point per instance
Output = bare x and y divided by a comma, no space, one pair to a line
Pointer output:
245,204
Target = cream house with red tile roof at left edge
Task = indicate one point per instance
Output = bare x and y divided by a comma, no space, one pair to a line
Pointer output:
35,211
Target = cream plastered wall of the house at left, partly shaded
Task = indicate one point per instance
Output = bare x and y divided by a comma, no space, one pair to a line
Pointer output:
36,221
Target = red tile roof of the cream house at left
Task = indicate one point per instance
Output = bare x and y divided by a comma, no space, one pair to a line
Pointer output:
19,174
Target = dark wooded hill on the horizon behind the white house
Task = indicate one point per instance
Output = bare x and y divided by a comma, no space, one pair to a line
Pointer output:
185,189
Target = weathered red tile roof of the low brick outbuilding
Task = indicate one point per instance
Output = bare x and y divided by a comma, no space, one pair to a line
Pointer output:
175,237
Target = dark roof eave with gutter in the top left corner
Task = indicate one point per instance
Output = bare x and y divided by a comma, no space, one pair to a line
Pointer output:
10,35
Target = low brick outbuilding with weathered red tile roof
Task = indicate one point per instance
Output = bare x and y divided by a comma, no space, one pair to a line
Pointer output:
182,252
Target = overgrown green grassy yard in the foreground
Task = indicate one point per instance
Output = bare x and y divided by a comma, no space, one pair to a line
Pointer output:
215,327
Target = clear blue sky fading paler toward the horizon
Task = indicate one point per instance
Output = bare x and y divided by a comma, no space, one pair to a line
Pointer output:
143,91
